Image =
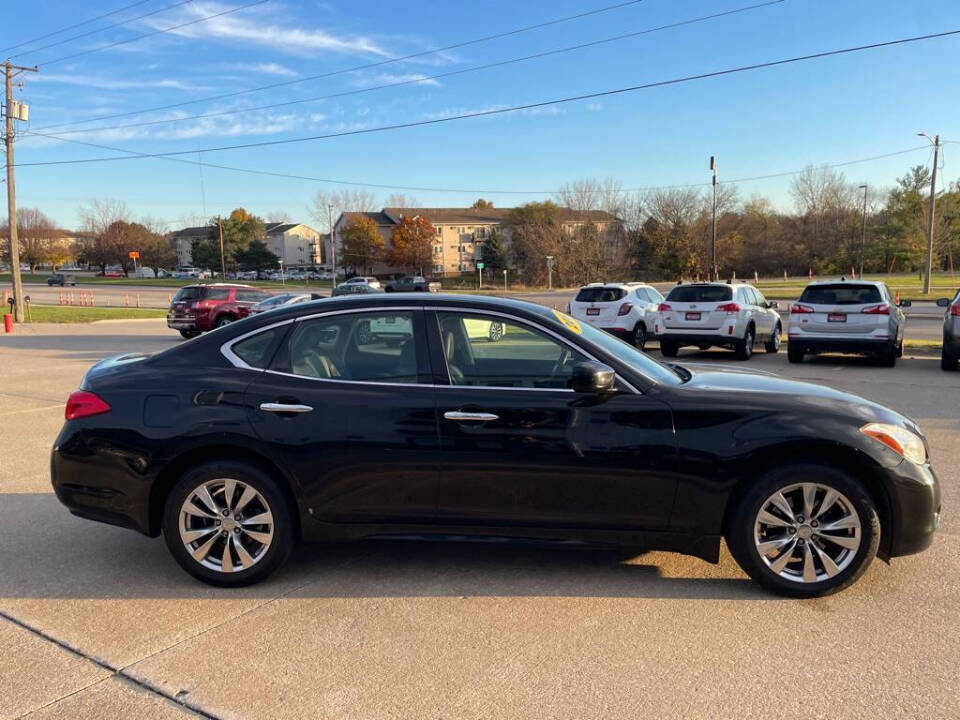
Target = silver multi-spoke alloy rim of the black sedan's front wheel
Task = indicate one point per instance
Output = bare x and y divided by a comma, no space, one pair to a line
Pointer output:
807,532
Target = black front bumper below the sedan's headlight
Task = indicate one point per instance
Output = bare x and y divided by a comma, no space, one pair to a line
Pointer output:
915,508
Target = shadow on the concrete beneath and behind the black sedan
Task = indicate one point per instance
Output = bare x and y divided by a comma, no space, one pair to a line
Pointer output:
48,553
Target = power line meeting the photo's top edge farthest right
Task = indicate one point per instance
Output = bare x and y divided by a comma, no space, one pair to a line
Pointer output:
439,76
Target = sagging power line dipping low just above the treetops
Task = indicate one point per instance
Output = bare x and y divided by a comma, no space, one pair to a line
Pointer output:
472,191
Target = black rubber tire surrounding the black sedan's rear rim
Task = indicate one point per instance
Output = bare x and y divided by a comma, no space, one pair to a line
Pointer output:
282,541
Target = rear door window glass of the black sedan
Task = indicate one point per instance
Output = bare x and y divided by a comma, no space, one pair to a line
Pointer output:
363,347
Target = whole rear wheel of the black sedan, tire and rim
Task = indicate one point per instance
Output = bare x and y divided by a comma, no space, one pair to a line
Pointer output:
227,523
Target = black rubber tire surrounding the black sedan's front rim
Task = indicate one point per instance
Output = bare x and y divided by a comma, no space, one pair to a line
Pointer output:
740,533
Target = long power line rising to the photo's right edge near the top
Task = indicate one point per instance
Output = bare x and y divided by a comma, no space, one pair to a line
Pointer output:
516,108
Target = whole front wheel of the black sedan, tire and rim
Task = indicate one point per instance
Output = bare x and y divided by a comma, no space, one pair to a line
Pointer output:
805,530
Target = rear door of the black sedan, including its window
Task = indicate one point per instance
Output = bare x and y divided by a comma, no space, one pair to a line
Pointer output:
347,403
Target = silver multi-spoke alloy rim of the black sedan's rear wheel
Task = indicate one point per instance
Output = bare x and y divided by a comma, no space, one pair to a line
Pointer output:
226,525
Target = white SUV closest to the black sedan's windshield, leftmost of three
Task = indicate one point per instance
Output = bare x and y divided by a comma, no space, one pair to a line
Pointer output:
627,310
